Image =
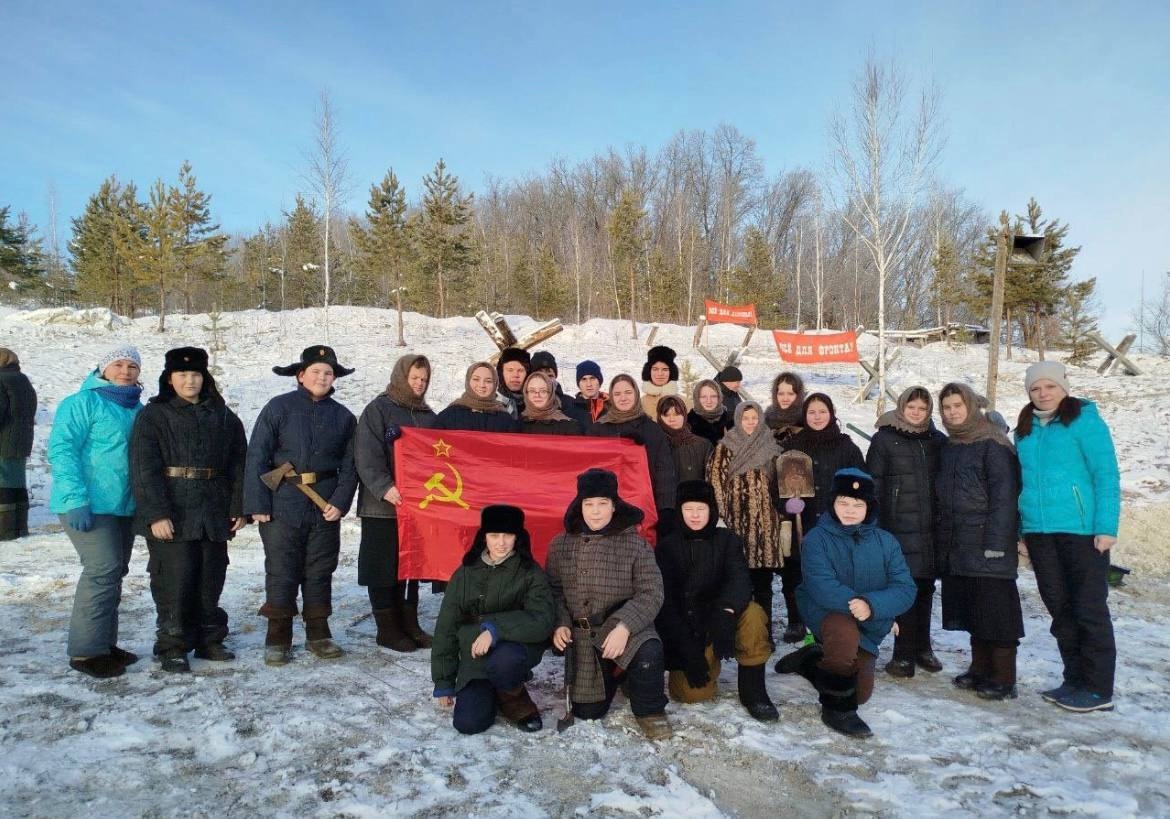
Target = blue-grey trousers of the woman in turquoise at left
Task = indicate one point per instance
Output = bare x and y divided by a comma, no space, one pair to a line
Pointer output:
105,553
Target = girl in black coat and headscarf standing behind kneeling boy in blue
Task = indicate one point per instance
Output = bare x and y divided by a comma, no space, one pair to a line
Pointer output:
830,450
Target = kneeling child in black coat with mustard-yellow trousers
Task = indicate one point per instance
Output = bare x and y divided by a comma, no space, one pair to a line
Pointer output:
707,612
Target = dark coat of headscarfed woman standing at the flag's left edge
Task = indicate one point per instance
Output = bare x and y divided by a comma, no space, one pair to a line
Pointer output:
374,451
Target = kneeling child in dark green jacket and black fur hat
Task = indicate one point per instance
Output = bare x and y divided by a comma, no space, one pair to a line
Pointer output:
493,628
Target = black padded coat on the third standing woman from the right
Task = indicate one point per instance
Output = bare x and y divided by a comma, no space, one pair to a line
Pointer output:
904,466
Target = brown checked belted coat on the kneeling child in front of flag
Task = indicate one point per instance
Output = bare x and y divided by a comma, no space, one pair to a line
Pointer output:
609,575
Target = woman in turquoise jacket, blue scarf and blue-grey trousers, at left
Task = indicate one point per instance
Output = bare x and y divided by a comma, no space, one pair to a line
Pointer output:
90,455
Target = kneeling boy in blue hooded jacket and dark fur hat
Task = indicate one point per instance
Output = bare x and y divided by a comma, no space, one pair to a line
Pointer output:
856,583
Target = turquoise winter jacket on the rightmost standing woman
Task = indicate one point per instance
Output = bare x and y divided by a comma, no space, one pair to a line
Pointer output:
1071,480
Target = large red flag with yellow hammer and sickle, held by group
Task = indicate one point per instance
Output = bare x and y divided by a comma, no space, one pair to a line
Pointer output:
448,478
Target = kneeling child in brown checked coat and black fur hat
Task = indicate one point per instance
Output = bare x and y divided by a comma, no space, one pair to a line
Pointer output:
609,590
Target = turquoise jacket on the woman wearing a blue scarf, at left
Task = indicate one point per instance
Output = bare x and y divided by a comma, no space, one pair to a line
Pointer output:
90,452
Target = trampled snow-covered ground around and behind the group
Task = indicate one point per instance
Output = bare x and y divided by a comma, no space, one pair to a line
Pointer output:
362,738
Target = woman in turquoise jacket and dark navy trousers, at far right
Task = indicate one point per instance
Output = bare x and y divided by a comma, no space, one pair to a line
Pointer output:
1070,508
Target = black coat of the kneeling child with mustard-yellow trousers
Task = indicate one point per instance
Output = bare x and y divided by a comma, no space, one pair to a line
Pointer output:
700,576
